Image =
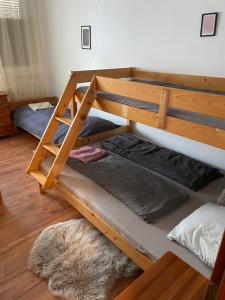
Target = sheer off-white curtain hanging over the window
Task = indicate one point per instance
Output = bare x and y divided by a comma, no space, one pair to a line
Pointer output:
22,72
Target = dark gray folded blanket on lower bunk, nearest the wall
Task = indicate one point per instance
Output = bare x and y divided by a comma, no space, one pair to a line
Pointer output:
176,166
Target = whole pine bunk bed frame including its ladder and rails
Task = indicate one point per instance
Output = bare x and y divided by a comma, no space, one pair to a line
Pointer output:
108,81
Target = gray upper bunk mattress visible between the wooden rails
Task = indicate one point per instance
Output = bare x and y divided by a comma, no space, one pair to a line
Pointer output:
181,114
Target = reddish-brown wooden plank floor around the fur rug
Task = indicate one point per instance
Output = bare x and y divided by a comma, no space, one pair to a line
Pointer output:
23,214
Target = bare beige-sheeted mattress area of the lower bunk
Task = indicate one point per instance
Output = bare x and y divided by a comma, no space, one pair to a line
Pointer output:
150,239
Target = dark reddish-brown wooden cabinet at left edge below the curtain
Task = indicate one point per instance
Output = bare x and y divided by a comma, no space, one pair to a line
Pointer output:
6,126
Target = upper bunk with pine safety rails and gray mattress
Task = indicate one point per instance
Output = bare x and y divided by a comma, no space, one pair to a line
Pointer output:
189,106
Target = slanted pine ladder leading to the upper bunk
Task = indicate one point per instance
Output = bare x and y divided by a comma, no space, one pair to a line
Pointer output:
61,153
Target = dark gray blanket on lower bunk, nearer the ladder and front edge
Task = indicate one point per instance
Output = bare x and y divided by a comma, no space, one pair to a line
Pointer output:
147,194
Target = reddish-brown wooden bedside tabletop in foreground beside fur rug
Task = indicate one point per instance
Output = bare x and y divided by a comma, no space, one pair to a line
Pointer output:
168,278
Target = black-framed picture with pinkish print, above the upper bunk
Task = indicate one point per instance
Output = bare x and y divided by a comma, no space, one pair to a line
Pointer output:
208,26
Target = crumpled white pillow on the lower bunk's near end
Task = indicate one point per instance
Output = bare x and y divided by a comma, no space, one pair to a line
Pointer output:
201,232
